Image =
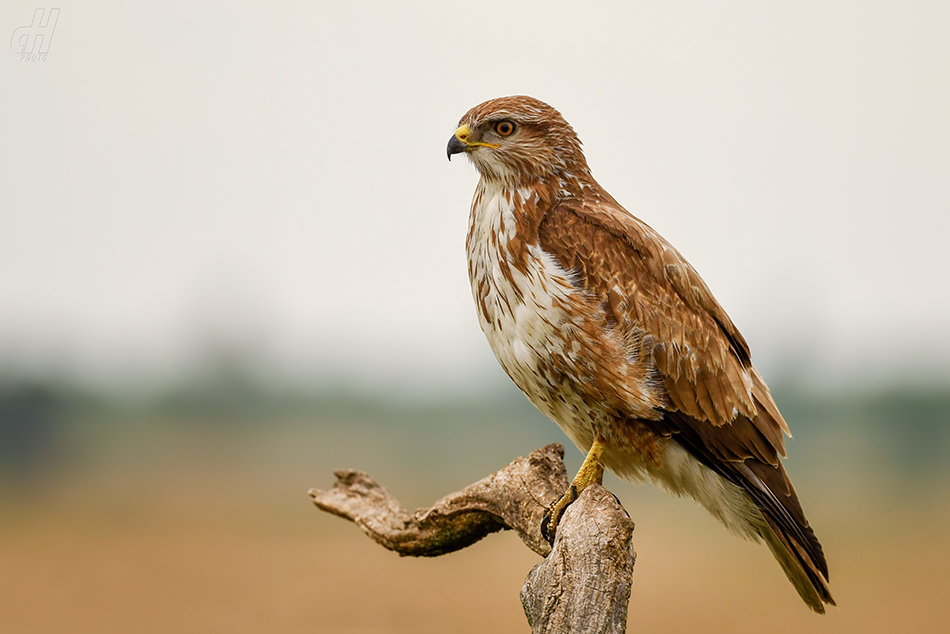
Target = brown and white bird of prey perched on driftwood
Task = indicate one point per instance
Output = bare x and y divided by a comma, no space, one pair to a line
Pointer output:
611,333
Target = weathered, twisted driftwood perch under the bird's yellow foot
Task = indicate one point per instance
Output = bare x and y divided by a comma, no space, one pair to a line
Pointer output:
584,582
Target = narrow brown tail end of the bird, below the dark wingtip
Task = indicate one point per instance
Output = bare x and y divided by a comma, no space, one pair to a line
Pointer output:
809,577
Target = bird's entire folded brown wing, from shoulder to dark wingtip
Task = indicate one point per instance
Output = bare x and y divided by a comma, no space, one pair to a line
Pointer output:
719,408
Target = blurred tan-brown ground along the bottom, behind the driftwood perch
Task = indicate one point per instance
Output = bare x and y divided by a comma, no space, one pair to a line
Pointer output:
210,552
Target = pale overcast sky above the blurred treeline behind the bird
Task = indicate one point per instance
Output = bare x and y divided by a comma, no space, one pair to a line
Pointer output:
273,176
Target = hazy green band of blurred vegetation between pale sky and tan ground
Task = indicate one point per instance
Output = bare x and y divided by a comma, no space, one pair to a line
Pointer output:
53,431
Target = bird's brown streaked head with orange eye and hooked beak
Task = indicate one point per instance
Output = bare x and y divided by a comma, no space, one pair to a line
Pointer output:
517,140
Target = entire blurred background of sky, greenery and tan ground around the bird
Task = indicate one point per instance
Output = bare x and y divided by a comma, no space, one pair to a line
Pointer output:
232,261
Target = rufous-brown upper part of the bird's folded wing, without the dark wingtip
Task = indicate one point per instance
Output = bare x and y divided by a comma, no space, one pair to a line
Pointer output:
700,354
